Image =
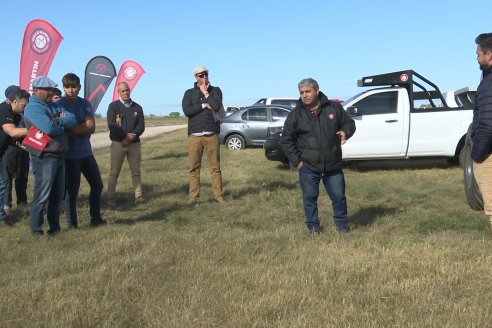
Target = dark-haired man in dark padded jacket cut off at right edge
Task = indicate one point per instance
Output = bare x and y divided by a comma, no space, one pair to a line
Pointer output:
482,123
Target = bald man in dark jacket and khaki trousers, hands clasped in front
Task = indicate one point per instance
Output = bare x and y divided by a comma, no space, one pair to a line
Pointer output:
126,124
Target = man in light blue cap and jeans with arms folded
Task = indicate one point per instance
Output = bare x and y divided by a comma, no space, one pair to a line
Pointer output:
49,168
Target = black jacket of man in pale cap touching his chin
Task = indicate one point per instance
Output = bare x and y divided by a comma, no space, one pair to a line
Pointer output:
199,119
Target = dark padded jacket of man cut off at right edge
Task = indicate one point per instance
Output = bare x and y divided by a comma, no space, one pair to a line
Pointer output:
482,119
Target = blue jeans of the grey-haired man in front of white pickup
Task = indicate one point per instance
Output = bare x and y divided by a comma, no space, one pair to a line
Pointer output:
334,183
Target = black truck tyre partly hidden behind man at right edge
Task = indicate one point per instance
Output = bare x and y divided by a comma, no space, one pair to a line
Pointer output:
472,192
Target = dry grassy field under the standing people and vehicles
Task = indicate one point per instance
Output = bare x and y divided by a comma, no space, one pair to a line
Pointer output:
417,256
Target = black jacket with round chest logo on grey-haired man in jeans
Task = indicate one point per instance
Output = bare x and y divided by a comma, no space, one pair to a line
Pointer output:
313,140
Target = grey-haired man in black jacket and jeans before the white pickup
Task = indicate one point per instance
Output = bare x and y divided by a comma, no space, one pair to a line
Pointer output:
313,134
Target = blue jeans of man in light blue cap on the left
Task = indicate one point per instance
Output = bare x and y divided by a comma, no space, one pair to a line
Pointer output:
49,186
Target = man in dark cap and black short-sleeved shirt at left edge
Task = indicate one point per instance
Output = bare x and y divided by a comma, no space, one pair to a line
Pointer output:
10,116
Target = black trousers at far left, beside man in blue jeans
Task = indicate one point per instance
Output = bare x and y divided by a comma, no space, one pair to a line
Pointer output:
15,168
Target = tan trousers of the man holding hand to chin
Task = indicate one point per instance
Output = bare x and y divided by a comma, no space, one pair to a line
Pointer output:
210,145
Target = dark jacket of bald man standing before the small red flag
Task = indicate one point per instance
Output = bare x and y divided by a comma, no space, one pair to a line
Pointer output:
123,120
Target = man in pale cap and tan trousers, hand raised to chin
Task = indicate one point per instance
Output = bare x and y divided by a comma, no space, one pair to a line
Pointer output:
201,104
